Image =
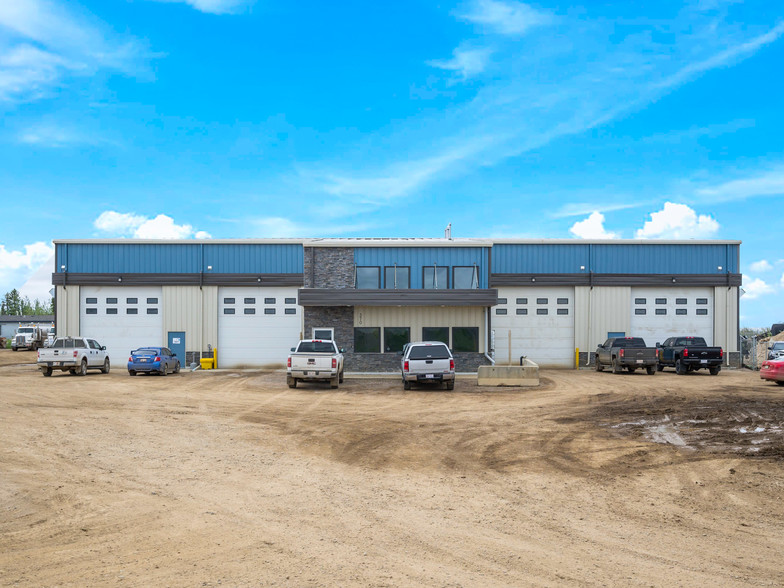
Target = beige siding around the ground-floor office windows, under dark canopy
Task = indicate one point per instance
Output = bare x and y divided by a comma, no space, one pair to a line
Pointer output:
416,317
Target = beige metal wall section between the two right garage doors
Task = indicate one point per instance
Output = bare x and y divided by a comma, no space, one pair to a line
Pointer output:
600,311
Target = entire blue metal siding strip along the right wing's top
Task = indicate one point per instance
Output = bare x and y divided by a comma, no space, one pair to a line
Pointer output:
621,258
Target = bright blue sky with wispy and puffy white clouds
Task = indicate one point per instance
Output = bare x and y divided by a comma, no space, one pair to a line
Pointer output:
232,119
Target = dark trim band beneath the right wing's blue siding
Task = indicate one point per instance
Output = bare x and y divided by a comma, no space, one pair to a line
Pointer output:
499,280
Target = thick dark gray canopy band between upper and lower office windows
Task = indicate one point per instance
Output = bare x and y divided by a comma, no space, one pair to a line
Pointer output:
352,297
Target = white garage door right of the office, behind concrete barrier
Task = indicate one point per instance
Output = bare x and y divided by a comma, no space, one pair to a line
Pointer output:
540,322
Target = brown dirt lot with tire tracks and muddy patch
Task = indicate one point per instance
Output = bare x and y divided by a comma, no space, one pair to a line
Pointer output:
226,478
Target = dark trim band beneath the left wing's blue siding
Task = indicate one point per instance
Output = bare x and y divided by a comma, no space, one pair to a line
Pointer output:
206,279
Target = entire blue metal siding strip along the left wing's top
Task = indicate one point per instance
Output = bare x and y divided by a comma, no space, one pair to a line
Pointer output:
179,258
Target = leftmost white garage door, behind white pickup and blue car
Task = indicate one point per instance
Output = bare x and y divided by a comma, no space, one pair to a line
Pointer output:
122,318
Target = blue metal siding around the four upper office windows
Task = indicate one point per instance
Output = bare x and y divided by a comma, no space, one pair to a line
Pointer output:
416,258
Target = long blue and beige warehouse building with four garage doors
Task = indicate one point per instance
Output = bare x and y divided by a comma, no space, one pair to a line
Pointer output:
490,300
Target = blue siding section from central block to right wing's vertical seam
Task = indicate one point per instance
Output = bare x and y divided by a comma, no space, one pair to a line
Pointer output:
540,259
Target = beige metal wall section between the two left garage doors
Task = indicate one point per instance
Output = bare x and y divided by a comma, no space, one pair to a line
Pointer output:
193,310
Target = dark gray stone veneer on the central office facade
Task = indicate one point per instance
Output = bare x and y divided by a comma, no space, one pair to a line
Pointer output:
333,268
